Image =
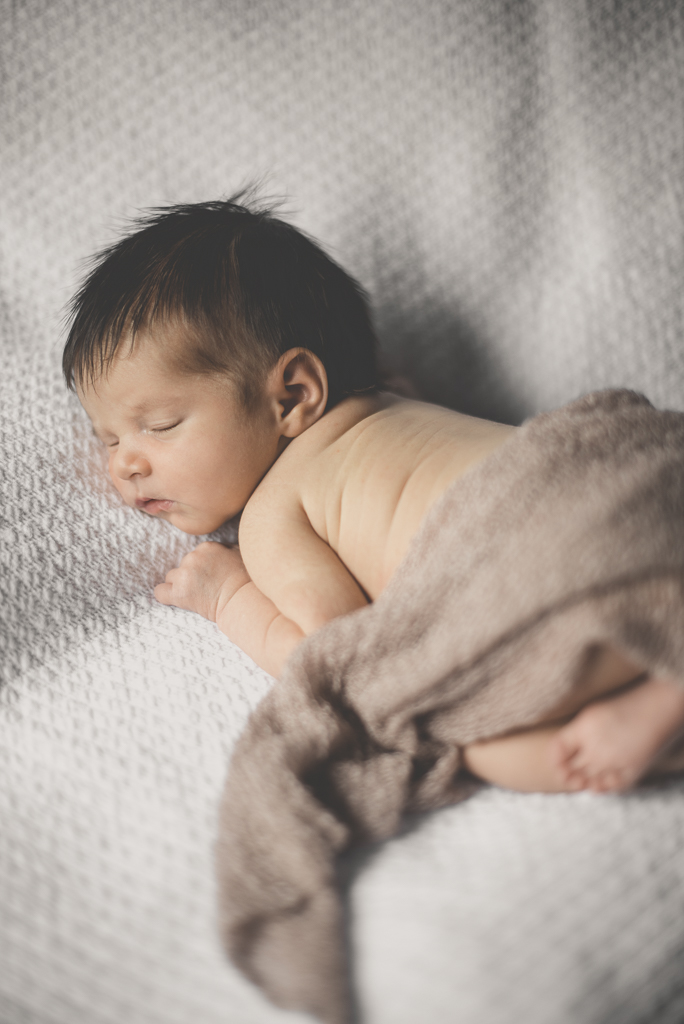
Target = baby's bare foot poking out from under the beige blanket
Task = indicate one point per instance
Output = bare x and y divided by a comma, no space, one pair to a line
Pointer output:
609,745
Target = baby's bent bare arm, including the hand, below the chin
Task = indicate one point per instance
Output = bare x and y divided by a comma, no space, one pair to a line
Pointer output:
308,584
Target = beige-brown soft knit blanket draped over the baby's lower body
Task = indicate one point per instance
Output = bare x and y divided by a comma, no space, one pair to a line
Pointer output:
570,536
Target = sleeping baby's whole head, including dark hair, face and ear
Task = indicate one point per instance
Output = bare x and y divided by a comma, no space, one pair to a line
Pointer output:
202,344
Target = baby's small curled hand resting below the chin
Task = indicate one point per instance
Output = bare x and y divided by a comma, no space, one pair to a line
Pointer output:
205,581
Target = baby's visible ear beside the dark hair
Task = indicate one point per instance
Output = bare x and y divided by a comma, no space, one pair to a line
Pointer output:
300,387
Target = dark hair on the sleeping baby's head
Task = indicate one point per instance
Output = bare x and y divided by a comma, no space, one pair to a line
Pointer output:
246,285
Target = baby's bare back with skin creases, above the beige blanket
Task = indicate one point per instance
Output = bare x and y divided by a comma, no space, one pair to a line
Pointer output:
368,473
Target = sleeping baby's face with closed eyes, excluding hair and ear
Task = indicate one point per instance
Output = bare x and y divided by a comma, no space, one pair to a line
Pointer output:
182,447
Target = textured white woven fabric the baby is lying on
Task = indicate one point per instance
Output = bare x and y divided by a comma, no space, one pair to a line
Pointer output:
505,179
